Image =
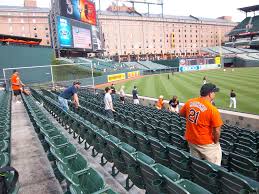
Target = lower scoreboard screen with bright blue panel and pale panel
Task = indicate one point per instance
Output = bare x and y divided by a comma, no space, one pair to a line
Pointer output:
74,34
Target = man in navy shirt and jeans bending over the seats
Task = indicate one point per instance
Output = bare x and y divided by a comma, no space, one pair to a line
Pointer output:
68,94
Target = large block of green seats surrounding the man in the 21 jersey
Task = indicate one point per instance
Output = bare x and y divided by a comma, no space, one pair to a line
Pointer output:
149,146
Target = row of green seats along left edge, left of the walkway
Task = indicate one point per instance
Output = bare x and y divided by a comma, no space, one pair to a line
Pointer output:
5,138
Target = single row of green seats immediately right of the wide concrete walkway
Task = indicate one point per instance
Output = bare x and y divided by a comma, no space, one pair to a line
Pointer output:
67,162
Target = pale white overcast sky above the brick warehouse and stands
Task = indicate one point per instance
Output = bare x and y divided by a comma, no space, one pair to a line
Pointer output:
200,8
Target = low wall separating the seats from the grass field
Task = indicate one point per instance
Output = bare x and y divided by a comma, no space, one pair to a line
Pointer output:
242,120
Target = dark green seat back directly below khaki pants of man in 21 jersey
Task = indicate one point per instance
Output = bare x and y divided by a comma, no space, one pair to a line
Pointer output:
205,174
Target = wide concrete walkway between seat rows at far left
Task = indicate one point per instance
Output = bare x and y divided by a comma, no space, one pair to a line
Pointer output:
28,157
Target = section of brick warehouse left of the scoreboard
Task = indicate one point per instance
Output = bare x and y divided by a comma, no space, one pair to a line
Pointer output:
28,21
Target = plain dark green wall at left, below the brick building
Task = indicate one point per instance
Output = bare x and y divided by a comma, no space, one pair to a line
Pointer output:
13,56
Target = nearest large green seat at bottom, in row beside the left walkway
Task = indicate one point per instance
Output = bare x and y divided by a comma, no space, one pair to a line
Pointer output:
89,182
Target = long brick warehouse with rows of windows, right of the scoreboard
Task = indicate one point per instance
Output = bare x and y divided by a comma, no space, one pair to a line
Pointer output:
127,32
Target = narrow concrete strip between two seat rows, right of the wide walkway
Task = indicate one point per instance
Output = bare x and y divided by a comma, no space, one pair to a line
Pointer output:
116,183
